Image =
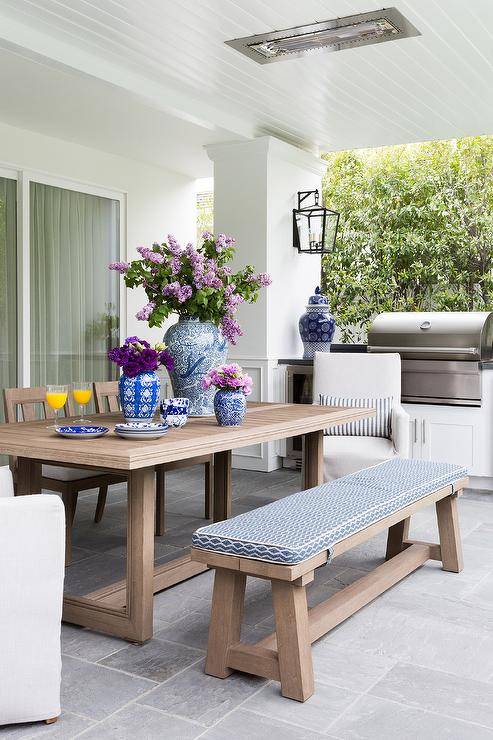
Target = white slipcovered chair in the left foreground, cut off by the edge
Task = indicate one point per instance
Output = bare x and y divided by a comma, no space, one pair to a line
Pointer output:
32,564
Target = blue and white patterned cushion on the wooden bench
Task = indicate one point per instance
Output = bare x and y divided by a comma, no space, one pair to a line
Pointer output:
301,525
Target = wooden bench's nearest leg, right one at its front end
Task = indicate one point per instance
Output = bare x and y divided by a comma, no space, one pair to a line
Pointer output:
293,640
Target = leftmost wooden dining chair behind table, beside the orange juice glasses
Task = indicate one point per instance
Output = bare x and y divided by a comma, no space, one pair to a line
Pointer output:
25,404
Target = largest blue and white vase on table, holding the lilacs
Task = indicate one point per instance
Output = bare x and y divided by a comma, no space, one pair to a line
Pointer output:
196,347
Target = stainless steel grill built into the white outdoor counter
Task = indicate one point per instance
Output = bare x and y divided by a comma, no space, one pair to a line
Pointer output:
442,353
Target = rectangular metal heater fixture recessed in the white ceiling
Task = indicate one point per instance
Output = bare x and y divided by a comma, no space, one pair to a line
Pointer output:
340,33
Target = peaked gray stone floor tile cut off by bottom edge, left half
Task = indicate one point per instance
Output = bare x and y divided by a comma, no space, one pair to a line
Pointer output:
136,721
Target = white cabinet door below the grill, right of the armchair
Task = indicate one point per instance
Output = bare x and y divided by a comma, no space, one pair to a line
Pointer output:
447,442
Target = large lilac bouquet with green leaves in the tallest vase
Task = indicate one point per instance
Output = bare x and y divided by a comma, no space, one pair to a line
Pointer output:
193,282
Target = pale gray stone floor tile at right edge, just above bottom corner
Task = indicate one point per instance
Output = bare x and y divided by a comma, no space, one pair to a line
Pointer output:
462,698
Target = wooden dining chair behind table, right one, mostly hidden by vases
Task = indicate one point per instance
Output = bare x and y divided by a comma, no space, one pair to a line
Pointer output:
106,397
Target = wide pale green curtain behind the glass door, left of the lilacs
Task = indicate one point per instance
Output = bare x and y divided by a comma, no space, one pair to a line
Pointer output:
74,297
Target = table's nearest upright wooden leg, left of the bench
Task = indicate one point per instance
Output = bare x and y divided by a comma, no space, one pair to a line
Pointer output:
140,552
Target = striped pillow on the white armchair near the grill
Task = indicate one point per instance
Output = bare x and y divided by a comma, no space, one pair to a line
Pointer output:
375,426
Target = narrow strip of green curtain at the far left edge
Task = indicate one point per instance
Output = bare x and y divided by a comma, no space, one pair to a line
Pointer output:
8,285
